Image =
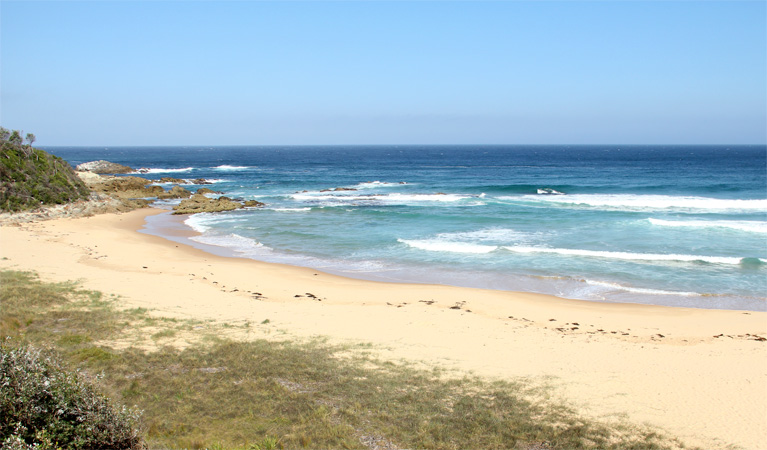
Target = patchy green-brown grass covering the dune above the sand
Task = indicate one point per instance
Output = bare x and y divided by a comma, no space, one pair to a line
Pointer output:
225,394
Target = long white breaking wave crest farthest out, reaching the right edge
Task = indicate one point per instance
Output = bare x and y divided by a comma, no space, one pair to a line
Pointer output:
632,202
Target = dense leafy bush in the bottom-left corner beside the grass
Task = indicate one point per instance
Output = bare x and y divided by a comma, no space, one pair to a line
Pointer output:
45,406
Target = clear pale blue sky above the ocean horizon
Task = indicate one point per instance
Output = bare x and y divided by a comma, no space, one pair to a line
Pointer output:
364,72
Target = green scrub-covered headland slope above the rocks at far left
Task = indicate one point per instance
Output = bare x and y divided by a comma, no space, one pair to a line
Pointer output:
30,177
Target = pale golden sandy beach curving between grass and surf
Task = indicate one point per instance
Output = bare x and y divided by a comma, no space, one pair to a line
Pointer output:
700,375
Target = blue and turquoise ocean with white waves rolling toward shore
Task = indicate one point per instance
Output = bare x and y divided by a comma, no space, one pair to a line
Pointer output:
673,225
